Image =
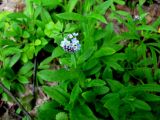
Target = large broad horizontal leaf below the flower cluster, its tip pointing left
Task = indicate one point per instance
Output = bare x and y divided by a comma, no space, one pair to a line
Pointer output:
57,75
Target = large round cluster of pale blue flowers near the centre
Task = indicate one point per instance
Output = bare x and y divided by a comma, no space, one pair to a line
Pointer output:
71,43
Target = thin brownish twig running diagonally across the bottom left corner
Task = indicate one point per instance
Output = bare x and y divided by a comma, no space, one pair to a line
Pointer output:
15,100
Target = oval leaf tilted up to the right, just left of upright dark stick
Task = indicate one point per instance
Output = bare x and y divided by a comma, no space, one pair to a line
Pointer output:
26,68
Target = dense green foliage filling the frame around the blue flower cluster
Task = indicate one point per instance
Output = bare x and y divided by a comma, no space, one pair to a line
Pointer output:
112,75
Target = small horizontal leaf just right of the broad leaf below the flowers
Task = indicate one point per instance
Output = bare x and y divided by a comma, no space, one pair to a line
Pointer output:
93,83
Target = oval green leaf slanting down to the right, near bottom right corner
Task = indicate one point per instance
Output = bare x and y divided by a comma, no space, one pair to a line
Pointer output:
141,105
